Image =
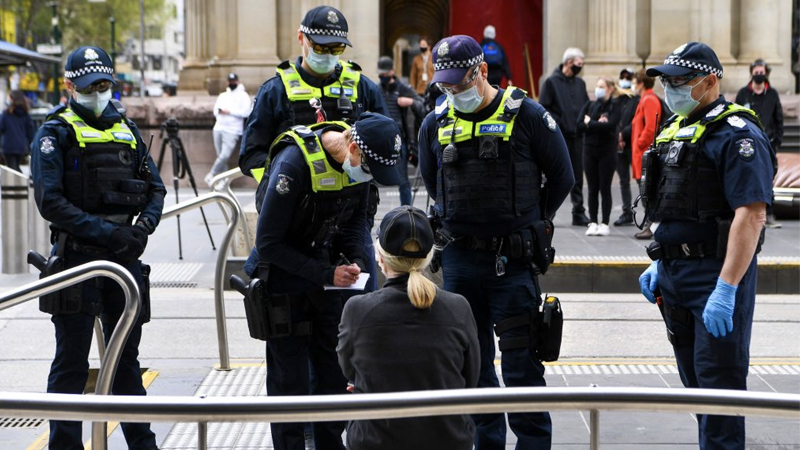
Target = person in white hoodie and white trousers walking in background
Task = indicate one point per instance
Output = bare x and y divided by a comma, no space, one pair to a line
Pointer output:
231,109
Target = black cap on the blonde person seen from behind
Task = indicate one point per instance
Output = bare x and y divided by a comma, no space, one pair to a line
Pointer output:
402,225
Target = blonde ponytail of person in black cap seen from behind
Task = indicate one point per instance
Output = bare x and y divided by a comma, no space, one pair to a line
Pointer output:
421,290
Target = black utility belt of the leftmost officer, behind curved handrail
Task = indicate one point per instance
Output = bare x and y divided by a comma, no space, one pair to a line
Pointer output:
70,300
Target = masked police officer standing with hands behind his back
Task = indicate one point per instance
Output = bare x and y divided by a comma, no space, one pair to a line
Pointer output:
483,152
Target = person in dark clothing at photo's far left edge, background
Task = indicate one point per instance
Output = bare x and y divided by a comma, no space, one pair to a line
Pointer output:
16,127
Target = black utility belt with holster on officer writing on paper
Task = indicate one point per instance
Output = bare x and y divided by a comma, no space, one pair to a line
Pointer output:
269,316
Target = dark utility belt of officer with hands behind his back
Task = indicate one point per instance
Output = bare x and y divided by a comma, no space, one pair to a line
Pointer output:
528,245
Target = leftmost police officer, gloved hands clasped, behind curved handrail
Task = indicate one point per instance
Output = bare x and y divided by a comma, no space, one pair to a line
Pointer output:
92,176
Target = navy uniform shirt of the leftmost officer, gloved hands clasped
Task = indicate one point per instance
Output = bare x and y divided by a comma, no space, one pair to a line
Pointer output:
48,147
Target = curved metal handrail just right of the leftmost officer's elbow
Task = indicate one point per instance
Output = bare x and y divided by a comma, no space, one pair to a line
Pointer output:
219,272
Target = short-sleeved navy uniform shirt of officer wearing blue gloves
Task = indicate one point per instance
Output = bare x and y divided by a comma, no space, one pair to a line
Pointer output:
742,155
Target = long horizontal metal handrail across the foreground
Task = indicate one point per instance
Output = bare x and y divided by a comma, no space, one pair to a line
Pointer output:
399,404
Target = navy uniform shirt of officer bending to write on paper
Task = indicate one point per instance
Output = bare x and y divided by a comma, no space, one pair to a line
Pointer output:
289,182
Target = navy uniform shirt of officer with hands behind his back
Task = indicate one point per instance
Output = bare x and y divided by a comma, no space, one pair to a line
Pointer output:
534,129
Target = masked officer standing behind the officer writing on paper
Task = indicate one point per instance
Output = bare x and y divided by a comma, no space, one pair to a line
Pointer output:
314,88
